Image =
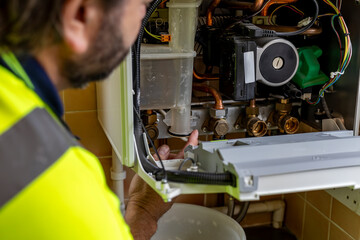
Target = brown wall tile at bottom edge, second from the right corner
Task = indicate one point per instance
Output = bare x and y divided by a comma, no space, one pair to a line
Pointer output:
316,226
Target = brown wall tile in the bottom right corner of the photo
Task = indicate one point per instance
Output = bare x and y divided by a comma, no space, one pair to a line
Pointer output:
346,219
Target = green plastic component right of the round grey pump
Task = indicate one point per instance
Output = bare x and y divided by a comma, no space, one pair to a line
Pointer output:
309,73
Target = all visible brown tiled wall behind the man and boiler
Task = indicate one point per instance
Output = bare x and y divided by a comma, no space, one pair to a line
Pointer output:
310,216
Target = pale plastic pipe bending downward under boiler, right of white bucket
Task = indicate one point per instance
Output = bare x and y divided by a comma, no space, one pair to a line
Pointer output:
277,207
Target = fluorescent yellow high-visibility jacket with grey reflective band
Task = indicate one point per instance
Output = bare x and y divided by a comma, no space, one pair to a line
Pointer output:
50,187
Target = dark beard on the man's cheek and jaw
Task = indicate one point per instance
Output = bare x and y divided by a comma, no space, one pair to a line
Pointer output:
105,53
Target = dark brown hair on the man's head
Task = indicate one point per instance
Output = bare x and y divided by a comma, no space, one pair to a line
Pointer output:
27,25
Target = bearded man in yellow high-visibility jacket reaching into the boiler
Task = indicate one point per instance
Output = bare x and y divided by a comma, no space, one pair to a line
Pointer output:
50,187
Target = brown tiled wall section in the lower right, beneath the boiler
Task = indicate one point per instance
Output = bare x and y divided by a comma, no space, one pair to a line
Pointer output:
317,216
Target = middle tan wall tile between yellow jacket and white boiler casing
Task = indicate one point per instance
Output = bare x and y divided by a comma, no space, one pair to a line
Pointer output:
86,126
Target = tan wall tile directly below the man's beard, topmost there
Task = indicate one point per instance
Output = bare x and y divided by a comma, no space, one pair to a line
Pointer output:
80,99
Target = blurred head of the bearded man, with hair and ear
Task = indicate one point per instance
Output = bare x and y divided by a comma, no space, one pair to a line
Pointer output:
86,38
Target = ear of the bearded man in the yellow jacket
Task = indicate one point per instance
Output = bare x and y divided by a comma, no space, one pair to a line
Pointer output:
80,22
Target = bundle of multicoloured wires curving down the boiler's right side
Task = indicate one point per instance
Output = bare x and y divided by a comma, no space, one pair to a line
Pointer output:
345,57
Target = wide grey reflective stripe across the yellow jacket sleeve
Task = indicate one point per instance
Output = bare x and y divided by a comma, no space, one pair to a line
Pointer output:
27,149
